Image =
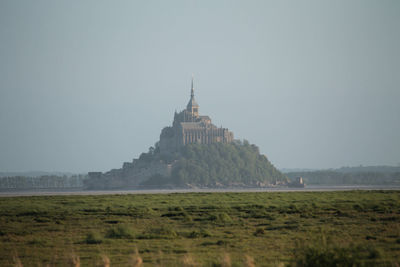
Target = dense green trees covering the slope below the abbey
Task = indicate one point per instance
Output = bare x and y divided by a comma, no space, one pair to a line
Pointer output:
234,164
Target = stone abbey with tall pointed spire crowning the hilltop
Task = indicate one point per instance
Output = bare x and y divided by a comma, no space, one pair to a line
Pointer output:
189,127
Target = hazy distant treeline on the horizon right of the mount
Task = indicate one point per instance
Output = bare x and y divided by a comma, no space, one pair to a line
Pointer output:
336,177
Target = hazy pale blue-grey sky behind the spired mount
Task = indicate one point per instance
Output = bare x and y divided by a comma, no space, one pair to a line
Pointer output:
87,85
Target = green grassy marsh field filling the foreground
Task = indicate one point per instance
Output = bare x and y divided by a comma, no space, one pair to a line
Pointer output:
360,228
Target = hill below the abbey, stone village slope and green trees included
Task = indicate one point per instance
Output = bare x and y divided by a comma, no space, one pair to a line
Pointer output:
237,164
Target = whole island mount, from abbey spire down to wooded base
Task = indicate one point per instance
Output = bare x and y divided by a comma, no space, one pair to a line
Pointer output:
172,162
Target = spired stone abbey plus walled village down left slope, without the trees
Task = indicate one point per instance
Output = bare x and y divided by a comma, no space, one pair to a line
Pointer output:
188,127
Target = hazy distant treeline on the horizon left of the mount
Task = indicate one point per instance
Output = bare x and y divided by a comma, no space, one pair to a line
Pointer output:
41,182
